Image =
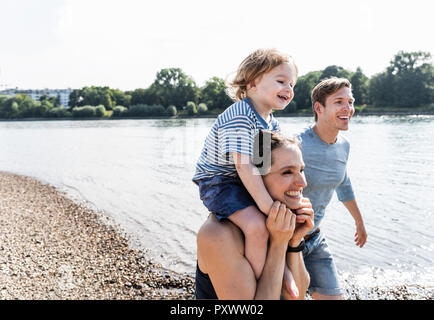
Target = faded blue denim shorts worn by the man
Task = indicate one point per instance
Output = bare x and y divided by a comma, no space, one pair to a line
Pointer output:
321,267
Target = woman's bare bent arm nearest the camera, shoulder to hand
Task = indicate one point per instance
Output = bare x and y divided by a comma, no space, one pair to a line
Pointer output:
221,255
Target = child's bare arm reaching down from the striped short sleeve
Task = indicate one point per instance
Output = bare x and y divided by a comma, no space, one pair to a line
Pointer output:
252,180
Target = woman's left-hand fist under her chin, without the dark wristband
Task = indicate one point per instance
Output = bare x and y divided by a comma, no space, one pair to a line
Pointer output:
280,223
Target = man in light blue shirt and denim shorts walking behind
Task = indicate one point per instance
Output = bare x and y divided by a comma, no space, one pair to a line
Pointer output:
325,153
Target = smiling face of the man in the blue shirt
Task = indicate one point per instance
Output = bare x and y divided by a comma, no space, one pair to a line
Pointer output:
338,109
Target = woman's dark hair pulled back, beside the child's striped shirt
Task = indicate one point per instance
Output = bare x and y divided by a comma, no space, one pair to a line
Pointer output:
265,143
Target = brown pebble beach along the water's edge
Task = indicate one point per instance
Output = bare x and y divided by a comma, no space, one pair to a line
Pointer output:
52,248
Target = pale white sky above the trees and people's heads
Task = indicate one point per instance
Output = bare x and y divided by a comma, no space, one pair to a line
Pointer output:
124,43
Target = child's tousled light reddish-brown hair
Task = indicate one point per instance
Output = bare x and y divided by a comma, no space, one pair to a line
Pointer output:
255,65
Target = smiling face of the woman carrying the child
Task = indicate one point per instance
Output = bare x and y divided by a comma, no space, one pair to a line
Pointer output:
286,180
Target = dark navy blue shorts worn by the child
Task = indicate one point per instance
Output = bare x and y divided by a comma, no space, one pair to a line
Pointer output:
224,196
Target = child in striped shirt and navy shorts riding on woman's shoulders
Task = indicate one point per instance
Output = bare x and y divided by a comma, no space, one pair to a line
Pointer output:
264,82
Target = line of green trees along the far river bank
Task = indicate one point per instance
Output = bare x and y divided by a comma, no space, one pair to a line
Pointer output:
406,82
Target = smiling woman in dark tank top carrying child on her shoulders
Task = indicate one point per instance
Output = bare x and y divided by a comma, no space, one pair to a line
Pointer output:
223,272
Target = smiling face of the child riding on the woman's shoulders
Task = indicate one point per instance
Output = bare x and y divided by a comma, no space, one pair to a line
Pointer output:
274,89
